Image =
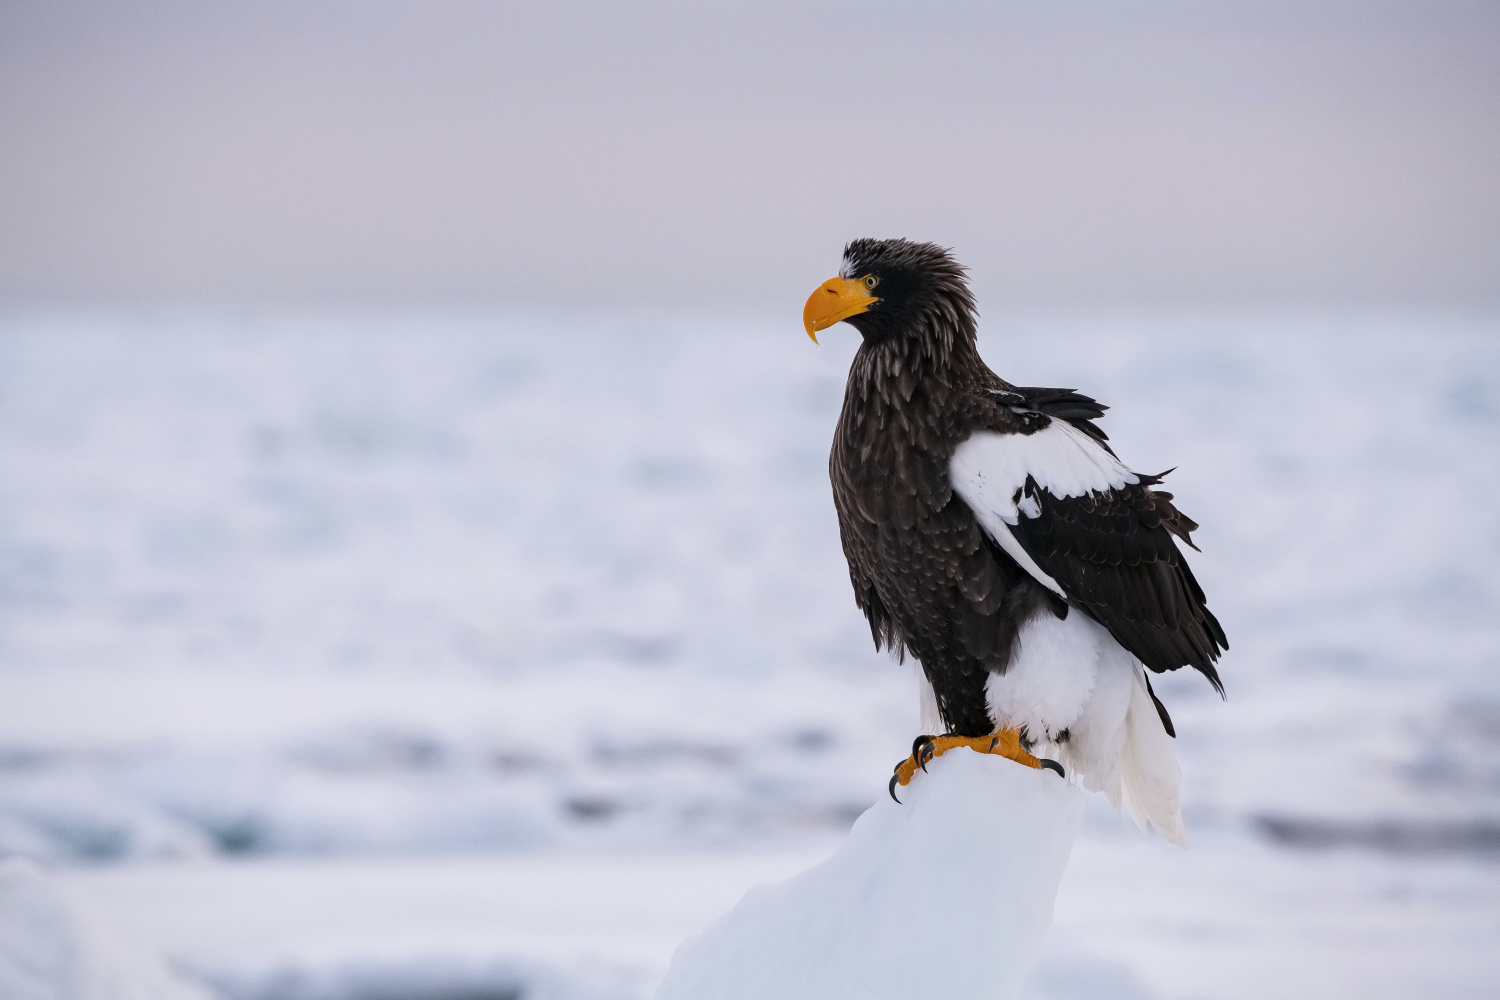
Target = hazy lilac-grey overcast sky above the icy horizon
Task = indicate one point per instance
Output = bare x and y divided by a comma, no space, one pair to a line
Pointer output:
721,155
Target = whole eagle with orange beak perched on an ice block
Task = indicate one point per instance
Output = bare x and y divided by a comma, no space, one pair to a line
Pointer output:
994,534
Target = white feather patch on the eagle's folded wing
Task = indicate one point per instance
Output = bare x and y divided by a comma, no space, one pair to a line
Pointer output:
989,472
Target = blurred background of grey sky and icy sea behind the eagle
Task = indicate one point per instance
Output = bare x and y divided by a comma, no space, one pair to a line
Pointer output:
419,576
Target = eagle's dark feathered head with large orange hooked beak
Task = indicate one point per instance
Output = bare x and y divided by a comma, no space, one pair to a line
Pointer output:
895,290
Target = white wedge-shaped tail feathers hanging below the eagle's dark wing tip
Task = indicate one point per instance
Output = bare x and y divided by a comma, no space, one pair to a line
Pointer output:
1150,783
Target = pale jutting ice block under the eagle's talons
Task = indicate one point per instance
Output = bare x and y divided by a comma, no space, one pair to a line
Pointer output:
947,894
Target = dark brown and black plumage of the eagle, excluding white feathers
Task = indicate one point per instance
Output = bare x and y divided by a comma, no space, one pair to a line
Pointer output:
926,575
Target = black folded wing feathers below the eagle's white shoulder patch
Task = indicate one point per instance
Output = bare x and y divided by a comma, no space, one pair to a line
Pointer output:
1115,555
